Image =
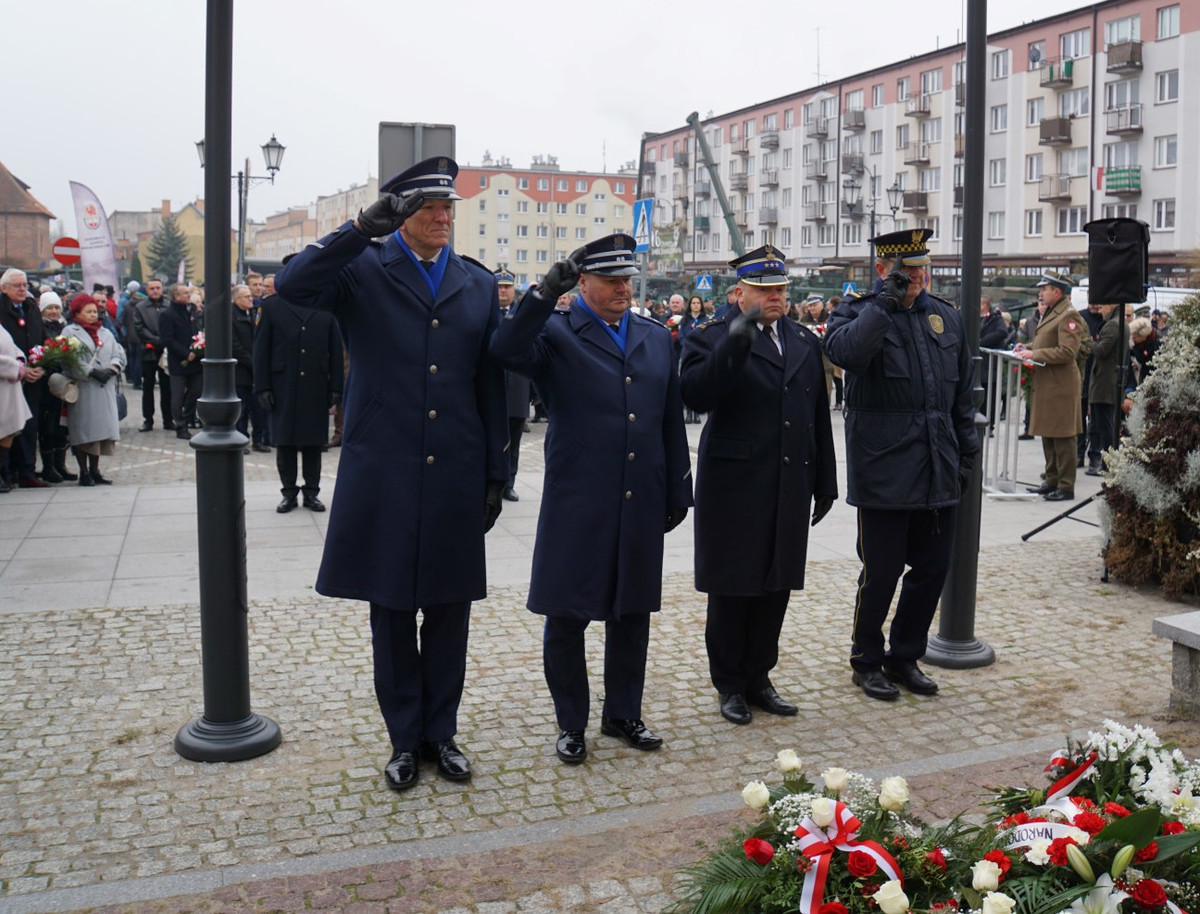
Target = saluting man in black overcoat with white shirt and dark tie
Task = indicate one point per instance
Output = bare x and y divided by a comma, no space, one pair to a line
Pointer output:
765,454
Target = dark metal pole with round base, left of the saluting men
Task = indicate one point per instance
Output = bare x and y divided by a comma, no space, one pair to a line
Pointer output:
229,731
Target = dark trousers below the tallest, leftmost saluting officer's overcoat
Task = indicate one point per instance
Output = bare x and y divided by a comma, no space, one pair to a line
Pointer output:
419,683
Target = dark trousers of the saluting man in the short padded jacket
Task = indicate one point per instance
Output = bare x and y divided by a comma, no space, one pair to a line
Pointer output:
887,542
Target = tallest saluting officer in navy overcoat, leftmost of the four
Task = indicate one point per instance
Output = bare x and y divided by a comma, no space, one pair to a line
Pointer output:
423,466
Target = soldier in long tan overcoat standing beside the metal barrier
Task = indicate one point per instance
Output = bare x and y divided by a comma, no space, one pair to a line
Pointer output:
1055,408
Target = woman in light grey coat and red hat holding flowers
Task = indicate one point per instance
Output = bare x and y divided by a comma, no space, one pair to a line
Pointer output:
93,426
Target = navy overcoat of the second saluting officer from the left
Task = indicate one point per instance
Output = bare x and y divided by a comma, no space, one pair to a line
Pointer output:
616,458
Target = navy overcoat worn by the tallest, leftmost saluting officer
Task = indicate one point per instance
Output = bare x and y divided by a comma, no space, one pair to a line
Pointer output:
425,420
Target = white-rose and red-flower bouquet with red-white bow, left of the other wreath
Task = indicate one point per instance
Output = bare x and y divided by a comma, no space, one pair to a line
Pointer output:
847,849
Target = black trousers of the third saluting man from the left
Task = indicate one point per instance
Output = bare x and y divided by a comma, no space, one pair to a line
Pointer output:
742,636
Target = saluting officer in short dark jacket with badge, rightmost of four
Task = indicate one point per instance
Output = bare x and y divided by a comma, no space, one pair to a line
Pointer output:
910,443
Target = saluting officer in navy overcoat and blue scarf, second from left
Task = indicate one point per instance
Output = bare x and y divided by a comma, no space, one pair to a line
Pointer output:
619,477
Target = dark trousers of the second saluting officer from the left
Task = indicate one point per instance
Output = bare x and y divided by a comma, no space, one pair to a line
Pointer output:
625,669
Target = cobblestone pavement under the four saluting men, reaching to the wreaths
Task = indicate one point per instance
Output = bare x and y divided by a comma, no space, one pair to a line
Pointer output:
98,809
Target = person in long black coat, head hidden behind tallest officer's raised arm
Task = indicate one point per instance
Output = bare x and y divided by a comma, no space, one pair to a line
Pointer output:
298,380
